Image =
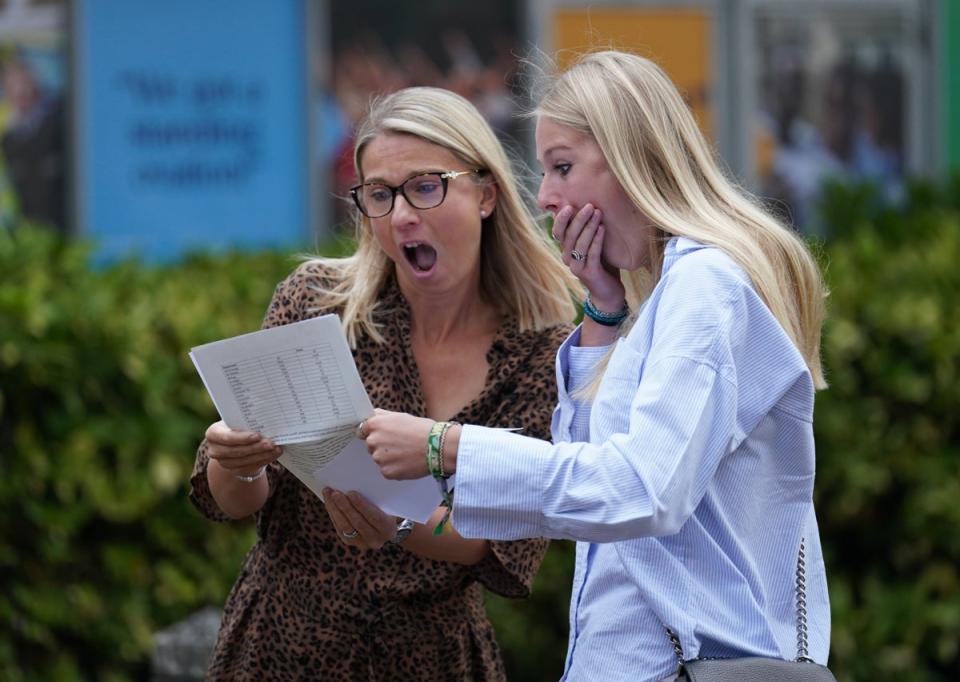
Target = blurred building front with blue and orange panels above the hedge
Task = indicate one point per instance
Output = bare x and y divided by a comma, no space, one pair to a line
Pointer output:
159,128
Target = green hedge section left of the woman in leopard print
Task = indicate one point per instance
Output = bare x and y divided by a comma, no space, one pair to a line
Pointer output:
101,411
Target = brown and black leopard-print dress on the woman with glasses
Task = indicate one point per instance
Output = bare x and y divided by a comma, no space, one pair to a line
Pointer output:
306,607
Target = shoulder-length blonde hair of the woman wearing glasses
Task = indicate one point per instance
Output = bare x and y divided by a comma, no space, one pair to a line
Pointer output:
520,268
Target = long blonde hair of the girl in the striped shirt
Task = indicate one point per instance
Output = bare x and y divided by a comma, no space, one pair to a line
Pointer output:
652,144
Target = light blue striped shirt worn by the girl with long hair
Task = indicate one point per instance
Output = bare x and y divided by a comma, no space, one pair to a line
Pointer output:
687,481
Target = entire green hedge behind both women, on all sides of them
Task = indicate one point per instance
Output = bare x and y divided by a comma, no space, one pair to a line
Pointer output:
100,410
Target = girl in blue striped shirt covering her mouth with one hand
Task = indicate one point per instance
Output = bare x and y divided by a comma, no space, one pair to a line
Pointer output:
683,457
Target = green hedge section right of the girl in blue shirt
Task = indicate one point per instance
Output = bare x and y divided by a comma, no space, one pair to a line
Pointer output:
888,434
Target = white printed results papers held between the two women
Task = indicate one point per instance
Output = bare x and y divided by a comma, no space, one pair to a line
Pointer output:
298,385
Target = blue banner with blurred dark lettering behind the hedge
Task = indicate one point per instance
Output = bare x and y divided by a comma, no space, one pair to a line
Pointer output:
191,124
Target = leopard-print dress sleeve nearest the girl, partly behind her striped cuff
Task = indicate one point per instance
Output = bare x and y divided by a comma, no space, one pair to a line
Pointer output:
510,567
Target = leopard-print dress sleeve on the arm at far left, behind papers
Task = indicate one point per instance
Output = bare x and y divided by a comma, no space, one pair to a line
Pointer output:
285,307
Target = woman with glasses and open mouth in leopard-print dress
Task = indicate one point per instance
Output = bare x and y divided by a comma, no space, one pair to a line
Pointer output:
455,304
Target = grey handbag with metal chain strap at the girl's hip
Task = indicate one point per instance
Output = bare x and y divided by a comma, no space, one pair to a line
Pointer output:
757,668
